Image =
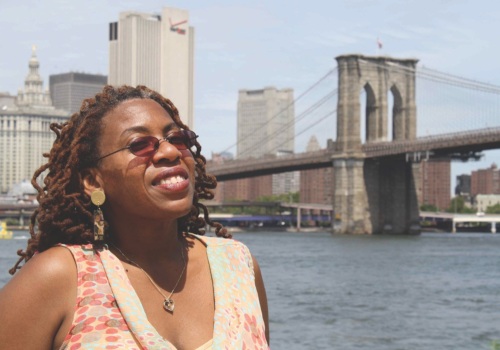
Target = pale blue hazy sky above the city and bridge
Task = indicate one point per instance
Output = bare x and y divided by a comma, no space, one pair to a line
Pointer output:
253,44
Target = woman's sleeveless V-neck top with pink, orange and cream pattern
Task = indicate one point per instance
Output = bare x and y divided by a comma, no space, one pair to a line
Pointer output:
109,314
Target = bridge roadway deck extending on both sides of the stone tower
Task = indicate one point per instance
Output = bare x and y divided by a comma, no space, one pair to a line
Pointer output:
462,144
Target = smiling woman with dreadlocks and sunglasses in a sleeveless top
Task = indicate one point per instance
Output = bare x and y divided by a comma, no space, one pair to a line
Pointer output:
118,260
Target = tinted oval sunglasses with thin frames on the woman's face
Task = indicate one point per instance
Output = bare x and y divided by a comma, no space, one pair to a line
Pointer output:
146,146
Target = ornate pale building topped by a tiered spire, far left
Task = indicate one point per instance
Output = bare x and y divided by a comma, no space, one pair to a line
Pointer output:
24,128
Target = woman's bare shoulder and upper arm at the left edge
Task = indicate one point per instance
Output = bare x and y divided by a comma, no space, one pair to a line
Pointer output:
43,292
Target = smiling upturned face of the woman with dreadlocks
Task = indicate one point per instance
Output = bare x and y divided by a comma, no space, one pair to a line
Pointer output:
153,187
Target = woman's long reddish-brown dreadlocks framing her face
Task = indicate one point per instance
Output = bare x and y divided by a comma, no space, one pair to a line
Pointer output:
64,214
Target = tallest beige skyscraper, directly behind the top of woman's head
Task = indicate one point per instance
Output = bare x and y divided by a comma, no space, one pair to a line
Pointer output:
156,50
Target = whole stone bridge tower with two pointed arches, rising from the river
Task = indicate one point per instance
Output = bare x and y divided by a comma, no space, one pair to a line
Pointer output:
375,196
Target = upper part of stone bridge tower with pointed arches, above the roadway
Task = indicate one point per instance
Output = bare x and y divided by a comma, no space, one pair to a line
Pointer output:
377,76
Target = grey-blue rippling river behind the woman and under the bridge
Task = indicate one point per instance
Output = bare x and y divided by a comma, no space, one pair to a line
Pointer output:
433,291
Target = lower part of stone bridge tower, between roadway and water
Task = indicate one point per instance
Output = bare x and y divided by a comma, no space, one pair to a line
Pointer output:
376,196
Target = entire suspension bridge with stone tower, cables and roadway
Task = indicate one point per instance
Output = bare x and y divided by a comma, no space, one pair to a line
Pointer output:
376,157
